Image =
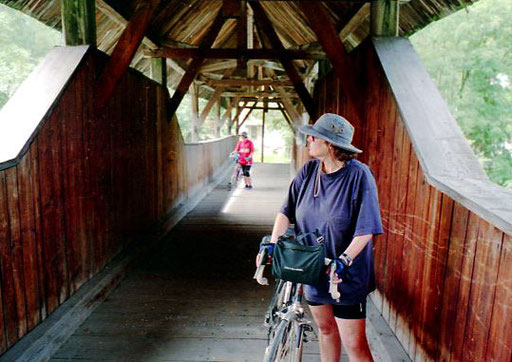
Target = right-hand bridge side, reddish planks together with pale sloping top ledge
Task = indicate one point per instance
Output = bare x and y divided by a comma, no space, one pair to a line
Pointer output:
444,263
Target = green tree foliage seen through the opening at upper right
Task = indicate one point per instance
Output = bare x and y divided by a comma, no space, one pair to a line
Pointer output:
468,54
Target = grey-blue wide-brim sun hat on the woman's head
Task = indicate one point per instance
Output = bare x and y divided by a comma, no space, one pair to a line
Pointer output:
334,129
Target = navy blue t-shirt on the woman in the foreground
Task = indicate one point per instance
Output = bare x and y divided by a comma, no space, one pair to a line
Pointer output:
346,205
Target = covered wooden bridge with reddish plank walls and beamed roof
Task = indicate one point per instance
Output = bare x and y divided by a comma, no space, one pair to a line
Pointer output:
94,172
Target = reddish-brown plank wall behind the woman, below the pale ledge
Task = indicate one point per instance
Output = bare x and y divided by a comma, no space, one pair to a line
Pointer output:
444,274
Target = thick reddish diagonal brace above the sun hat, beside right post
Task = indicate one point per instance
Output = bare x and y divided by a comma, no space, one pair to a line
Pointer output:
325,31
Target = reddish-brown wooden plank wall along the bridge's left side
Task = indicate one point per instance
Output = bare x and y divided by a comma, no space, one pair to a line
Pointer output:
86,185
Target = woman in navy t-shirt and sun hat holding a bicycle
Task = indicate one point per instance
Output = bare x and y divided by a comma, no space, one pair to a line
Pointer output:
337,195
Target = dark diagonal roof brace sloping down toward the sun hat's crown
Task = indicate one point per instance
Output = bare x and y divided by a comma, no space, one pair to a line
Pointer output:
266,26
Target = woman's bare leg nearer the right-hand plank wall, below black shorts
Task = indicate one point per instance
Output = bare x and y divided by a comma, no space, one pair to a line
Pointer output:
353,336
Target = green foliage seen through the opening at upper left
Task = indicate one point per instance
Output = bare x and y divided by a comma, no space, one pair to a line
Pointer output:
23,42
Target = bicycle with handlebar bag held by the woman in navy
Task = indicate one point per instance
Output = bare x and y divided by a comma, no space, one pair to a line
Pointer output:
285,316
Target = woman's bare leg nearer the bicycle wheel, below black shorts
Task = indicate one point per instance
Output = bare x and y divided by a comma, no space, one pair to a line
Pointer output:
329,338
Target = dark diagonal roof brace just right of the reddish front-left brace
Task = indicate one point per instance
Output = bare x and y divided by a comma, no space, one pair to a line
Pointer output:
195,65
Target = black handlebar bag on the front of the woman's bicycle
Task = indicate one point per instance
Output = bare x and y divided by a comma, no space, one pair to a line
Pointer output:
298,263
